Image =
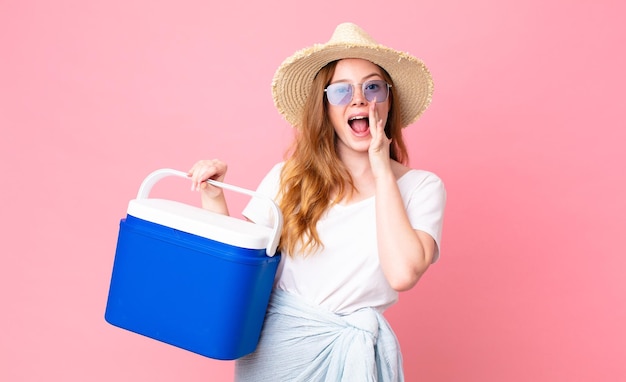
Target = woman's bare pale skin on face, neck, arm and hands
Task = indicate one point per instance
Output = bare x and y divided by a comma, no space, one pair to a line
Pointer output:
404,253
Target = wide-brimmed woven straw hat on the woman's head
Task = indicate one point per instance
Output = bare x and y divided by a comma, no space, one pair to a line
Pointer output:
292,81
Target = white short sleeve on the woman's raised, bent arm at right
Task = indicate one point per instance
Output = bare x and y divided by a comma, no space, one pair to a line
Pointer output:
425,198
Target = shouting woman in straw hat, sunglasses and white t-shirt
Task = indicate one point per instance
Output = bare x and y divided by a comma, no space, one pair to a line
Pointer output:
359,225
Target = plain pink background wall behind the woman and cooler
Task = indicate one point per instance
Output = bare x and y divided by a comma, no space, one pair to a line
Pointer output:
526,129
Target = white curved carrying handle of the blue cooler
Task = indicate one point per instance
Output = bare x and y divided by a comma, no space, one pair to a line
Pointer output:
155,176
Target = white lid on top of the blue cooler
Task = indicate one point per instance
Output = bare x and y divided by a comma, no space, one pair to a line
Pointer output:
201,222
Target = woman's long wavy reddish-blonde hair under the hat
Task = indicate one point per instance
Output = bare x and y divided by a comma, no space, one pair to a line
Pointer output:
313,172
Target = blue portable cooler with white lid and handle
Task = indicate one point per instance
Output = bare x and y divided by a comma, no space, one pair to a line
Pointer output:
192,278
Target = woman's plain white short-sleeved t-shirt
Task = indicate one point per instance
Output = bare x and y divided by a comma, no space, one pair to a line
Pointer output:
345,274
